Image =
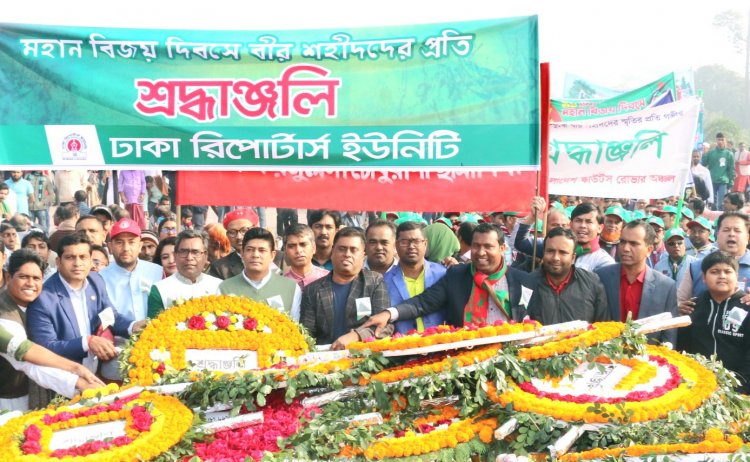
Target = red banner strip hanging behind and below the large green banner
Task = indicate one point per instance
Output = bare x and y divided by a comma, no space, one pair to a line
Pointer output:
399,191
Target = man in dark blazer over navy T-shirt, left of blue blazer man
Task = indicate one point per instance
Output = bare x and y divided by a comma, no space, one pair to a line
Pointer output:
334,307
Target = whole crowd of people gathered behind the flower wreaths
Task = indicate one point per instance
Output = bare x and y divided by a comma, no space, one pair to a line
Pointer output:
75,290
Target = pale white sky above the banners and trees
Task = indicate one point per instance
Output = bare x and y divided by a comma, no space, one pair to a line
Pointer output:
621,44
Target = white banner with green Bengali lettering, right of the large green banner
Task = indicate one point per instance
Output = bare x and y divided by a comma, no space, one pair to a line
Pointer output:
644,154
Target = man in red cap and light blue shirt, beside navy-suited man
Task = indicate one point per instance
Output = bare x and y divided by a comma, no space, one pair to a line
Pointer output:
128,280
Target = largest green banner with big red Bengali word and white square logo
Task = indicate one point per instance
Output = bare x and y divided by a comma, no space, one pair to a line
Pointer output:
420,97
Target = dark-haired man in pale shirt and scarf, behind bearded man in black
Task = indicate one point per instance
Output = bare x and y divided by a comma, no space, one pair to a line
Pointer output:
586,222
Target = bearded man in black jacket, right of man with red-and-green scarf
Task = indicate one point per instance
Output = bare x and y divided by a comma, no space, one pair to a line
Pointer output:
560,291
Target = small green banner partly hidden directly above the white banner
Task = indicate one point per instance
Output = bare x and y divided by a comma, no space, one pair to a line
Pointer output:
656,93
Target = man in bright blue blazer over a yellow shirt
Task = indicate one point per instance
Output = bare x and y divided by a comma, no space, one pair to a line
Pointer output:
413,274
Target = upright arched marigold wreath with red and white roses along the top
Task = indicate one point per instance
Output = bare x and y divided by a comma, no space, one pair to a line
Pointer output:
220,322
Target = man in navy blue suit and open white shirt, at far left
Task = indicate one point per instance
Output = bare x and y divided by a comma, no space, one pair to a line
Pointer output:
65,317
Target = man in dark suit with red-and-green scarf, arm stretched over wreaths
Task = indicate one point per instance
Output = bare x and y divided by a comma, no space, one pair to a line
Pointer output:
485,291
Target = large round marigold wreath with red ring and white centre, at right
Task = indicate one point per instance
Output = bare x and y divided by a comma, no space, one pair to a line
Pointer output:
686,385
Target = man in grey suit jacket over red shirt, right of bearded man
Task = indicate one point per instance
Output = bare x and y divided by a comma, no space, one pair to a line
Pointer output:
634,288
